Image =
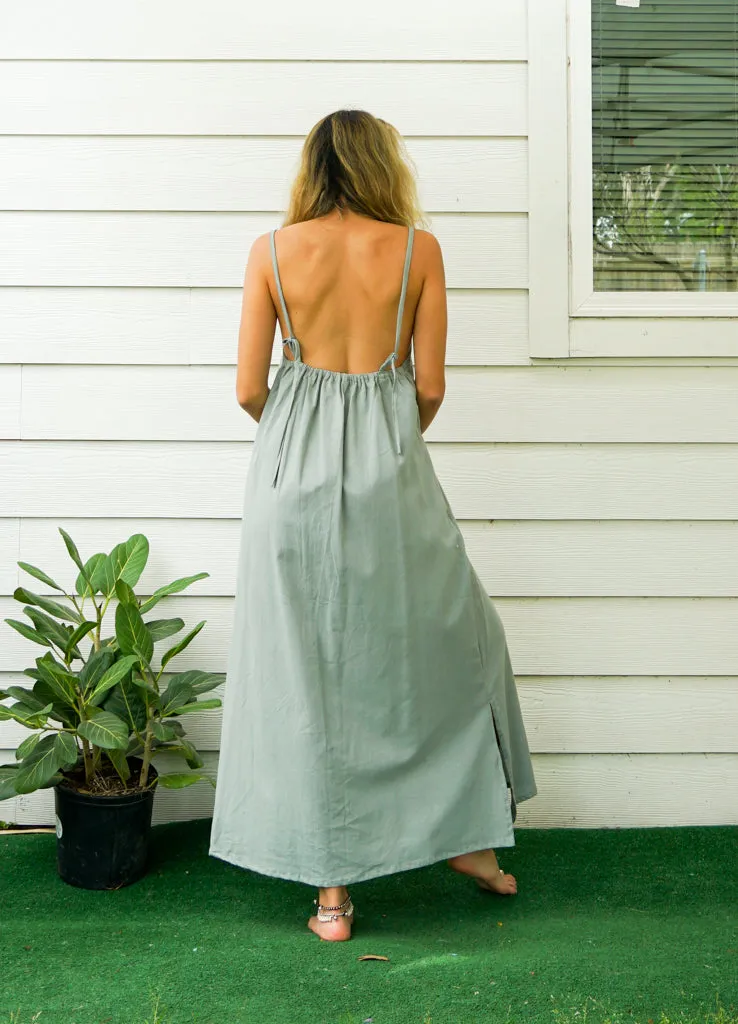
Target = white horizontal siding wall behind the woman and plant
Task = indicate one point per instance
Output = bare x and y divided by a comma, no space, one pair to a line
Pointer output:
145,149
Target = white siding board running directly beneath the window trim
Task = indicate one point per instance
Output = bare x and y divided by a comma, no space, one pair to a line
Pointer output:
540,404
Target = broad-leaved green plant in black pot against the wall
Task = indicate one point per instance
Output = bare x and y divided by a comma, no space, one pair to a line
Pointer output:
99,716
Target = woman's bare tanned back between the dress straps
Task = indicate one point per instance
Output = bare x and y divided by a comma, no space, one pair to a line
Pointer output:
341,280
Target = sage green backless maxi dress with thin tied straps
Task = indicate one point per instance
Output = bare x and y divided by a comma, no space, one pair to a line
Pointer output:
371,718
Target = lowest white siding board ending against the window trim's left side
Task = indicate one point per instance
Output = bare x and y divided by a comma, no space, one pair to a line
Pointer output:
143,326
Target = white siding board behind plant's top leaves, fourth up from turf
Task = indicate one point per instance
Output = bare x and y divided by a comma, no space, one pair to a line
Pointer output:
514,559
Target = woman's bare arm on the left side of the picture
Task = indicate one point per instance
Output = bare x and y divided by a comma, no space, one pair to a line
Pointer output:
256,332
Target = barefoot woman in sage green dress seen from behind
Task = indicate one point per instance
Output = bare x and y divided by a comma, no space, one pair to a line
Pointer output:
371,718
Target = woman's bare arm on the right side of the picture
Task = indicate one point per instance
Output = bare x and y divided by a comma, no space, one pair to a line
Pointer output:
429,335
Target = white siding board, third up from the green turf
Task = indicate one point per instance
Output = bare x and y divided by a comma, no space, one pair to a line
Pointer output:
617,636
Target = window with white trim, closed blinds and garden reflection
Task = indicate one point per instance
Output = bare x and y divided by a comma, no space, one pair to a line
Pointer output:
634,165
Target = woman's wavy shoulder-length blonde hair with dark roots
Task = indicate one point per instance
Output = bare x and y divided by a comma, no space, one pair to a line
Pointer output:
352,159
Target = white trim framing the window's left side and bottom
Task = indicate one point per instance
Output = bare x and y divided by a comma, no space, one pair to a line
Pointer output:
568,318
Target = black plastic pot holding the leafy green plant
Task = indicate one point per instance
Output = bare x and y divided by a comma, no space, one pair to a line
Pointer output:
104,842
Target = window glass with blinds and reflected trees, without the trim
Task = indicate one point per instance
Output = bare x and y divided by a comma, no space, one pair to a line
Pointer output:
666,146
